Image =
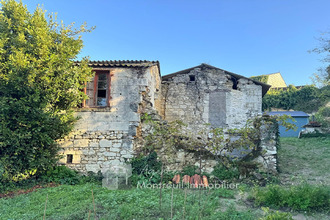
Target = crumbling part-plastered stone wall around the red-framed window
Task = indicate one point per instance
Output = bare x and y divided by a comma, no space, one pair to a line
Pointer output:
104,136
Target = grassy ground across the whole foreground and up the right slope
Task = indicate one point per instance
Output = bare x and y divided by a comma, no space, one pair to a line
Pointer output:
301,160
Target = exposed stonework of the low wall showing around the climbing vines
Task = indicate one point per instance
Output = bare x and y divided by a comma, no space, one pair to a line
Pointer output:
267,148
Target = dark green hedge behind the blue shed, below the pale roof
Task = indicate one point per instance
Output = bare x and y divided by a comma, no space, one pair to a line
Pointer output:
307,98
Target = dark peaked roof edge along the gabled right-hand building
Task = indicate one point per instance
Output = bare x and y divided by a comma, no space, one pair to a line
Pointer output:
265,86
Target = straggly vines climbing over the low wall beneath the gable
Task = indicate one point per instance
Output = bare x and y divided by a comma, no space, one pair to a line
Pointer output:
168,138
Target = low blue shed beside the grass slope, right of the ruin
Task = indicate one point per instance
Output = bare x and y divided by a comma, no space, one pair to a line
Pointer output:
301,119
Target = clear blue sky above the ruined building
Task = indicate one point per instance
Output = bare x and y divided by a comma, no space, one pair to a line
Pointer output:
246,37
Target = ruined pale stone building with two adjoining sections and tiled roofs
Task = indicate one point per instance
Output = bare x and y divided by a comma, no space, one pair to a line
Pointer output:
121,91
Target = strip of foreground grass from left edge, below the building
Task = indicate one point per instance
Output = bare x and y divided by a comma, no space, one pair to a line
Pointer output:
75,202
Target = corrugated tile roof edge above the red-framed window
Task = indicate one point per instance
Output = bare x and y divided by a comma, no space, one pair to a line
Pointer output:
121,63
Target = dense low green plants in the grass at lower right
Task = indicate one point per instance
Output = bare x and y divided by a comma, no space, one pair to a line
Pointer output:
303,197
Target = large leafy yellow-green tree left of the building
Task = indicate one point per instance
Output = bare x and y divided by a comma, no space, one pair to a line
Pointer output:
39,86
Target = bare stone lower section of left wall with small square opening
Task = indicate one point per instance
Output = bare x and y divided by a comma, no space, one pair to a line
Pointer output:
96,151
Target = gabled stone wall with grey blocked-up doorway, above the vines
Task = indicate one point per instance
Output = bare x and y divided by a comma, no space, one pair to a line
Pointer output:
205,95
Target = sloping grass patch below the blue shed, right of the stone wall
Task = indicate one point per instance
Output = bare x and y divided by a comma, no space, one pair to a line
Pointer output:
306,158
